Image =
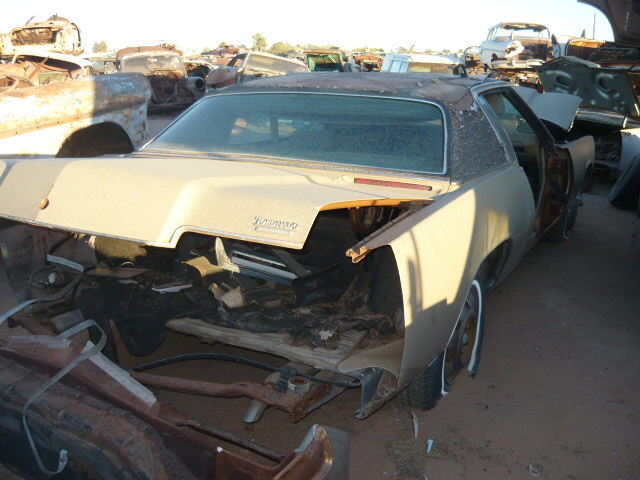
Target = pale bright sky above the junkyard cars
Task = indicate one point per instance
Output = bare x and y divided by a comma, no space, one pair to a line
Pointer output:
384,24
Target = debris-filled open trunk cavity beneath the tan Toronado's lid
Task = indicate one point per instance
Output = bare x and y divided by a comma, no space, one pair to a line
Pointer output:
312,305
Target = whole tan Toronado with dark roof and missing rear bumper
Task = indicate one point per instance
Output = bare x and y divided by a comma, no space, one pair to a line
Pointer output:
351,224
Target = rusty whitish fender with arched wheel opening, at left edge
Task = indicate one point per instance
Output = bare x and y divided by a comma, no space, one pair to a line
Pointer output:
37,120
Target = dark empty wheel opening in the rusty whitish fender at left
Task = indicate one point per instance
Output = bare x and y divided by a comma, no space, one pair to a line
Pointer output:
96,140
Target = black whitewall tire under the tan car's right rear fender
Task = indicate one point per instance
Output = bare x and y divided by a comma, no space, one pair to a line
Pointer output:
462,352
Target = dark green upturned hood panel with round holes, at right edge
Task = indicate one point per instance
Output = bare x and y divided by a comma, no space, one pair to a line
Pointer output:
601,88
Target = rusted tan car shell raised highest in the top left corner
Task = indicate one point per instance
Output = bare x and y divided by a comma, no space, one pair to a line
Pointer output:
56,34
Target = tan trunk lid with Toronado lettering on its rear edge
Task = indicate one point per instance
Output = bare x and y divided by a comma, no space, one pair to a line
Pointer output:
153,200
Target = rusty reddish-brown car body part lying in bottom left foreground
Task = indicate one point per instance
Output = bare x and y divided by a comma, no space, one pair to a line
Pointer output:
113,427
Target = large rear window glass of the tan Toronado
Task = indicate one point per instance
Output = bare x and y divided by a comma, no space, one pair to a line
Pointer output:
339,129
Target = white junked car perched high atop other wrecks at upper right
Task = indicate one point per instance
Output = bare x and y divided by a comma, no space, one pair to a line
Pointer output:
516,45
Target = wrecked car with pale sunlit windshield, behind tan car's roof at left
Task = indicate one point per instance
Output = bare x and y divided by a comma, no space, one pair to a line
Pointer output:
250,66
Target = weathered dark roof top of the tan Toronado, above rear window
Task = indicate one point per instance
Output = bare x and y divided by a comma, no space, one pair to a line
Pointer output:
446,89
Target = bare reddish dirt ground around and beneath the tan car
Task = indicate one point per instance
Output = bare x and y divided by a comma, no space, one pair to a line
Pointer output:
556,396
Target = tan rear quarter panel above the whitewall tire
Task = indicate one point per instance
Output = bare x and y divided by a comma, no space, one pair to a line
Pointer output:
439,249
